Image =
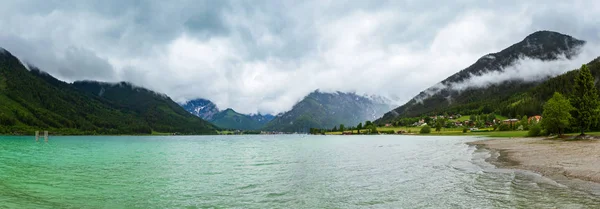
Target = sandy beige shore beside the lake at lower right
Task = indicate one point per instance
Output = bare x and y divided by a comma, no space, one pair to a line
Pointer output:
551,158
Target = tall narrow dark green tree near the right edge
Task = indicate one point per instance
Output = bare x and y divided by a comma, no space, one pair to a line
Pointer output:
585,99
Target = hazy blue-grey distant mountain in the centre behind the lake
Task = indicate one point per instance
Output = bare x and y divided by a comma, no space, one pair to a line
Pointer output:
326,110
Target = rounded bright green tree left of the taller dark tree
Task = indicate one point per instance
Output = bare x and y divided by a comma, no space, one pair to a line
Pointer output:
556,114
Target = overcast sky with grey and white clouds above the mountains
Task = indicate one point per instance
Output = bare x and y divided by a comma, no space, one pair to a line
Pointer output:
264,56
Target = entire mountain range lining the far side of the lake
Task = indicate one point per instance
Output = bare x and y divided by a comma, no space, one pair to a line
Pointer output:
34,100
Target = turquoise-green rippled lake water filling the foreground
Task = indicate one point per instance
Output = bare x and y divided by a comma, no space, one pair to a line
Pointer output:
284,171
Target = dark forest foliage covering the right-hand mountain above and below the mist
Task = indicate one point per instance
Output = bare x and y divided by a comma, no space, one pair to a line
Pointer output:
508,98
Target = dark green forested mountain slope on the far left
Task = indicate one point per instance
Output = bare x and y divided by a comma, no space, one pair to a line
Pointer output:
33,100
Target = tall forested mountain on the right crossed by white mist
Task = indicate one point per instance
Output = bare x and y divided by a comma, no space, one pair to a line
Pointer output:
495,97
